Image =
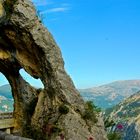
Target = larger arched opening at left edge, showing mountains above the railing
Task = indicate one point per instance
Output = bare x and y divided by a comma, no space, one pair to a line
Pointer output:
6,99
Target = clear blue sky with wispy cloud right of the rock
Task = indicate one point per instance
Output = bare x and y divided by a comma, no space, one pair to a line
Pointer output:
99,39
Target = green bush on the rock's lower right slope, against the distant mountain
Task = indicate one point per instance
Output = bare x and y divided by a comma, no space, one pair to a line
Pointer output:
91,112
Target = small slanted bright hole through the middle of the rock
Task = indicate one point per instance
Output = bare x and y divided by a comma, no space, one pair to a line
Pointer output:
37,83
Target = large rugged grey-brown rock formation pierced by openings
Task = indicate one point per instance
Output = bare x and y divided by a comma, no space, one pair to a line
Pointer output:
55,111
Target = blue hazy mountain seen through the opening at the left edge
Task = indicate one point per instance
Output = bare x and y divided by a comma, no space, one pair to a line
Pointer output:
5,91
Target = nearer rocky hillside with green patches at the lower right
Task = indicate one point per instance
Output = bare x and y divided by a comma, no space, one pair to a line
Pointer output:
127,113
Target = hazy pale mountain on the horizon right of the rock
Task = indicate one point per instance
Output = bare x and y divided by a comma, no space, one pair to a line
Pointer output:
111,94
